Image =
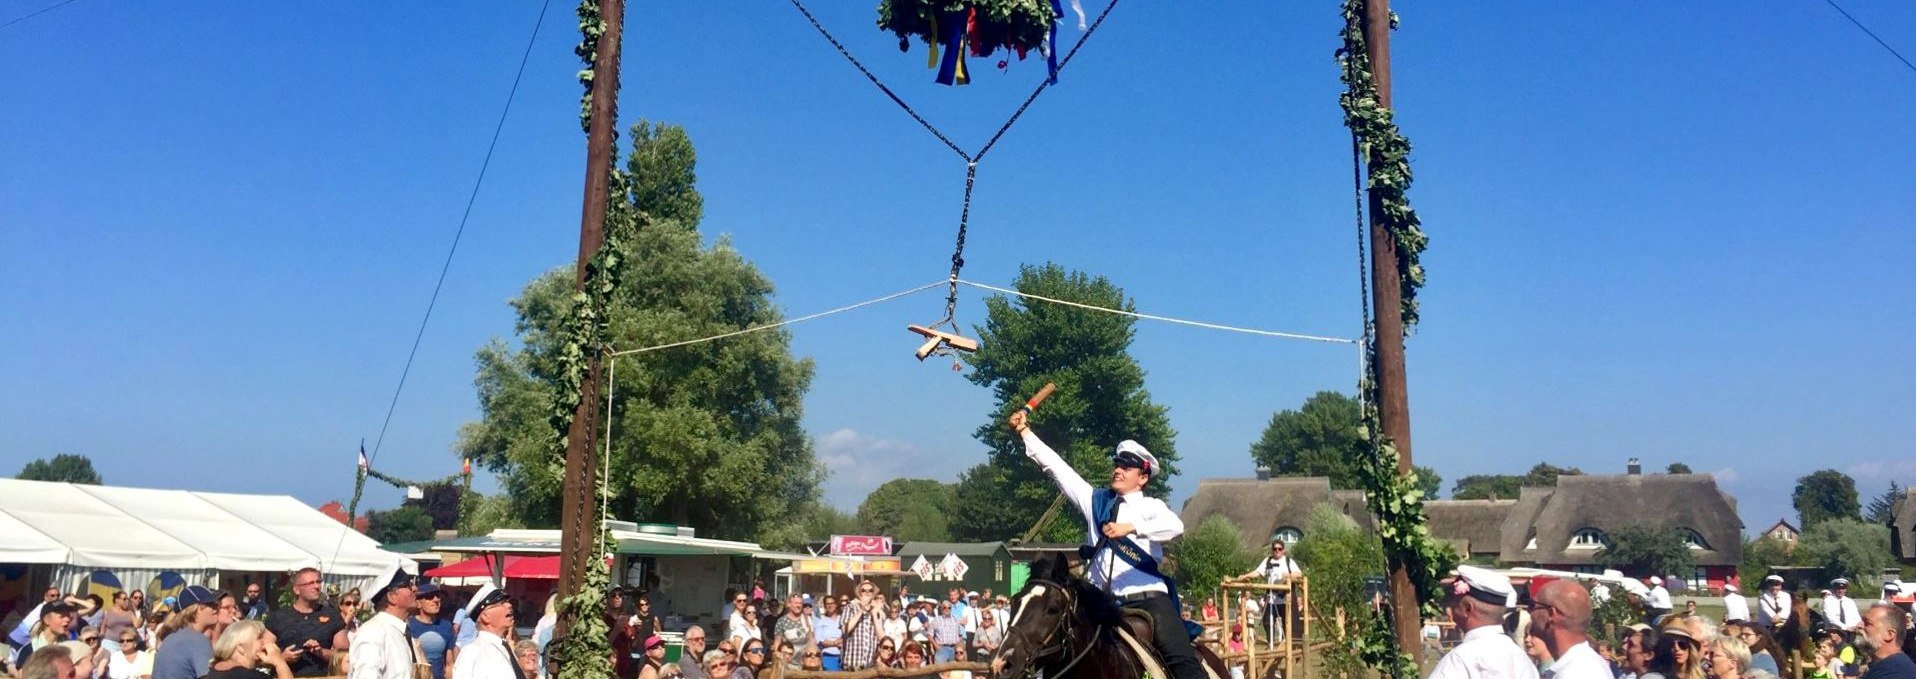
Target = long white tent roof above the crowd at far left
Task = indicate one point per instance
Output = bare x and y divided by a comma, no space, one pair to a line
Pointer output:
103,527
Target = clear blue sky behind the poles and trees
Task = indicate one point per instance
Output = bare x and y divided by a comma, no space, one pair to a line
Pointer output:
1660,231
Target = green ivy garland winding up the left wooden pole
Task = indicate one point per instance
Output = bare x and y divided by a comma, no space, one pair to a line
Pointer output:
585,651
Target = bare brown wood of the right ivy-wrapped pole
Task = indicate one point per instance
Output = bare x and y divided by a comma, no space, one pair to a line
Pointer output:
1386,296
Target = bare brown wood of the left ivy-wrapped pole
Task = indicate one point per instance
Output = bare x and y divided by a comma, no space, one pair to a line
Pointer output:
578,527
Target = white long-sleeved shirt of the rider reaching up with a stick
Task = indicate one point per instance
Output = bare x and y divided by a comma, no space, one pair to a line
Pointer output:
1152,525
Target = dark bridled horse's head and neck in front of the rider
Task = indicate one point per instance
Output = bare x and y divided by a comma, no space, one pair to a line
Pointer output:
1045,619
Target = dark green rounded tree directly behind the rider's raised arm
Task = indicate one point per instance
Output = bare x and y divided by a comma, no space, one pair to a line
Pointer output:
1101,396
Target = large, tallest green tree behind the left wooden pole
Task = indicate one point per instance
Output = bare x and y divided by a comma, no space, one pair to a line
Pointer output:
702,436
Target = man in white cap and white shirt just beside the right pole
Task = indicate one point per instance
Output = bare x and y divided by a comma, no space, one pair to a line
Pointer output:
1476,605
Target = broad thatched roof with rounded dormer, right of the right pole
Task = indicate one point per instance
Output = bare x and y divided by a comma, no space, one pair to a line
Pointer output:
1541,525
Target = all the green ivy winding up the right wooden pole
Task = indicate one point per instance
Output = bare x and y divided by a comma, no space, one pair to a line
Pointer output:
1392,498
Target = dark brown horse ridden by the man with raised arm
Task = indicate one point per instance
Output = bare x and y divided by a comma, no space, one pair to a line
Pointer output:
1066,628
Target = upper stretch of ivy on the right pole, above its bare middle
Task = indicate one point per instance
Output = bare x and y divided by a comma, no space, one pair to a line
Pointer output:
1386,156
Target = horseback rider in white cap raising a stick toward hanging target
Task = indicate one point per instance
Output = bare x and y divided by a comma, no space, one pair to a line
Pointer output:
1128,534
